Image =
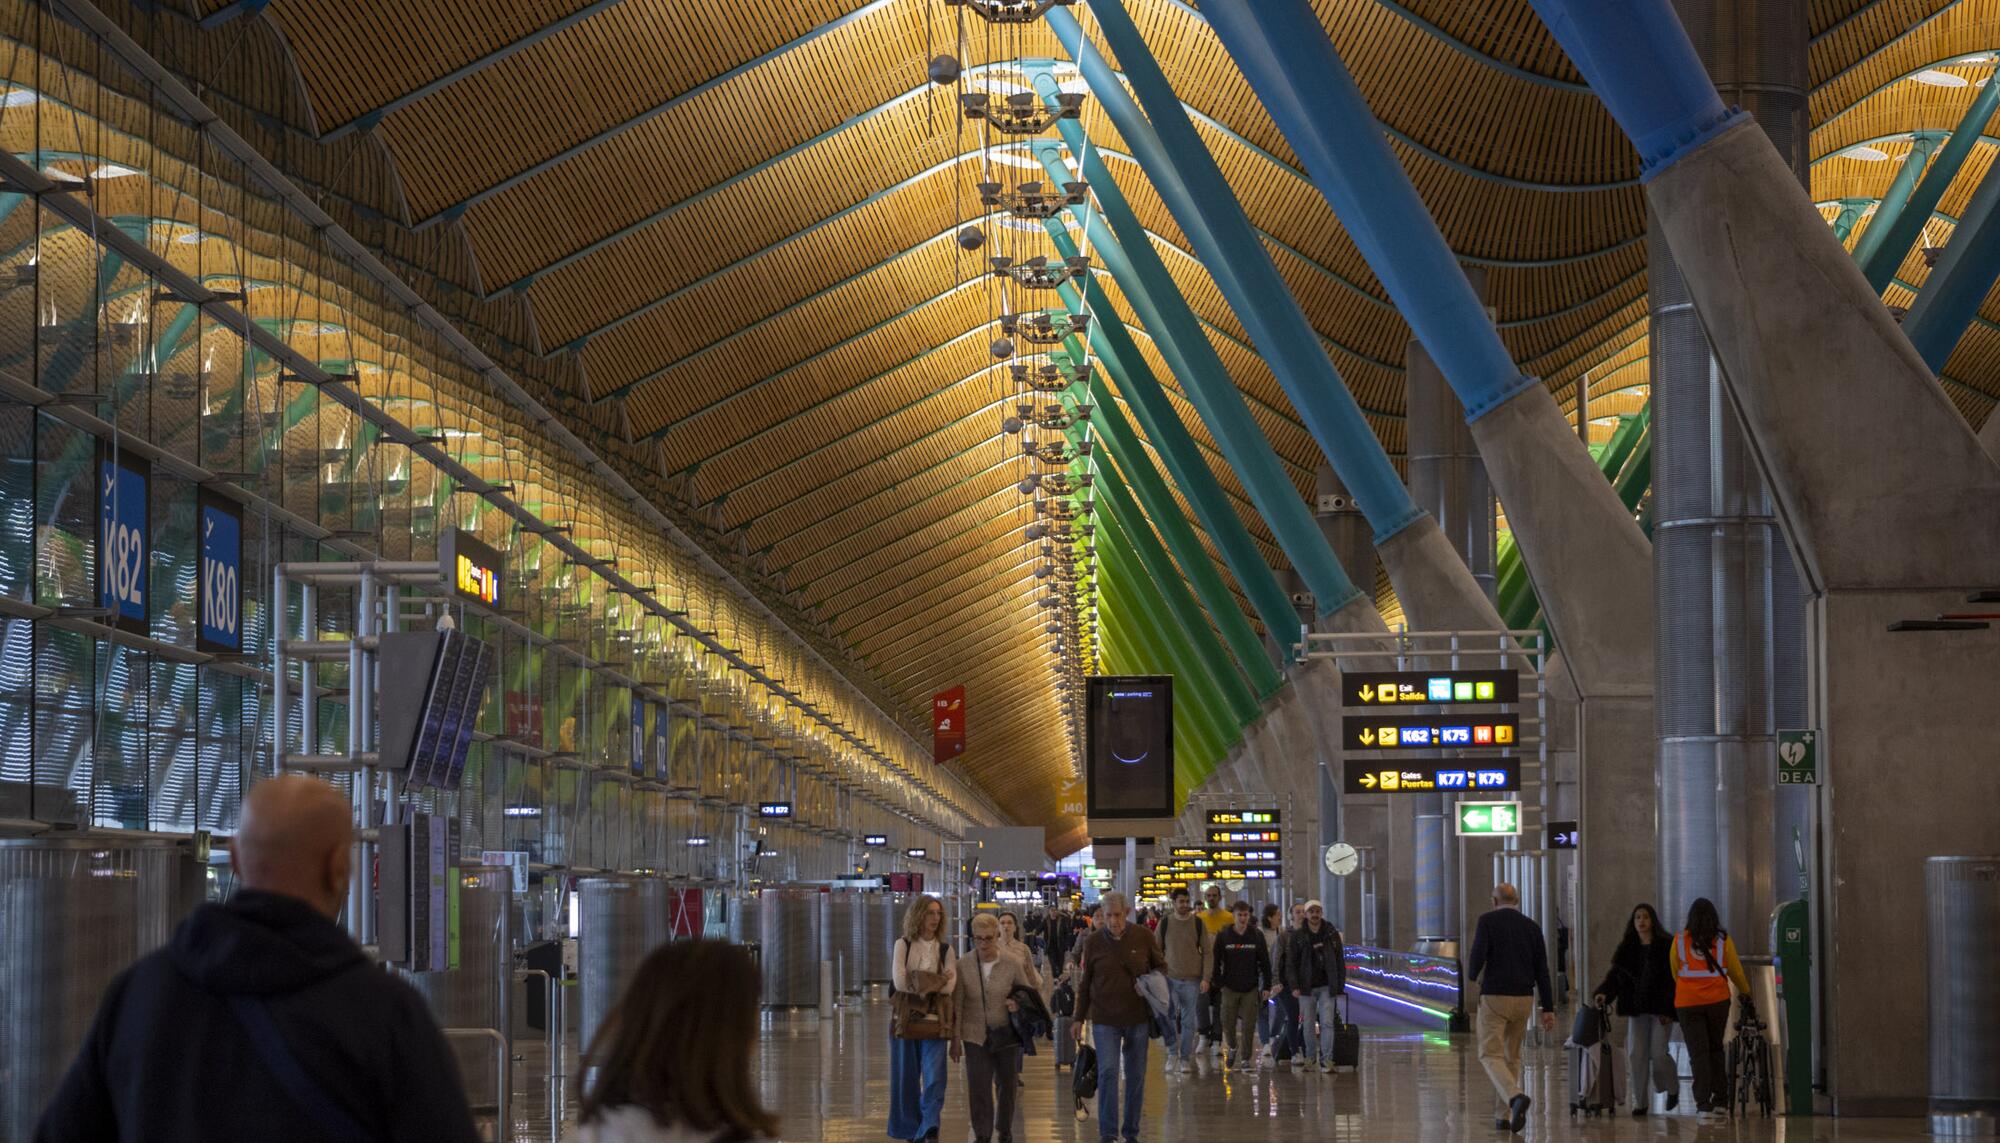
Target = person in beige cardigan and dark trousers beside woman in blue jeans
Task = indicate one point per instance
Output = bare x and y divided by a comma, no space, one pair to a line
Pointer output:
985,1038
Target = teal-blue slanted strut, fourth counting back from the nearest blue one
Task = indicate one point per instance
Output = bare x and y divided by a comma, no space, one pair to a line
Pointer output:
1207,383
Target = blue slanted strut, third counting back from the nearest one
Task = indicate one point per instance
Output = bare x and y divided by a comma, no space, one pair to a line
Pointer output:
1201,201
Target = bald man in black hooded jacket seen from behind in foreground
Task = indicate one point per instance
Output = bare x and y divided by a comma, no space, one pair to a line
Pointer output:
261,1018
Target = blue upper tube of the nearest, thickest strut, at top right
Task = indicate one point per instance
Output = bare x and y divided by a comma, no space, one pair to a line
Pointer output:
1637,57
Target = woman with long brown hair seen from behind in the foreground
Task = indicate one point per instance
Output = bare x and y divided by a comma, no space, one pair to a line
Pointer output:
657,1082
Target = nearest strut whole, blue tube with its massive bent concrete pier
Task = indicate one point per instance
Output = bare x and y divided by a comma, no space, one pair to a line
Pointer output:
1877,479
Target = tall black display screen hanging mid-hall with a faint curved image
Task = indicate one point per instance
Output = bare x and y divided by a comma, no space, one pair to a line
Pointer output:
1129,740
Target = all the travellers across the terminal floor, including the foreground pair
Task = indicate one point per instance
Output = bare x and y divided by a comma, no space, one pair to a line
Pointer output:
269,1000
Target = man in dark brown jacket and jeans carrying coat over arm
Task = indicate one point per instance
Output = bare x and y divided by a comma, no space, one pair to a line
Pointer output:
1121,1020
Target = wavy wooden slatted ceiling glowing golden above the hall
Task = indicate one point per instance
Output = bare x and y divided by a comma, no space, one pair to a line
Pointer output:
825,391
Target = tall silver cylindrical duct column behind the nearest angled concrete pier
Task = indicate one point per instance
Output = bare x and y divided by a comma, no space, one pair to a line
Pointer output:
1729,618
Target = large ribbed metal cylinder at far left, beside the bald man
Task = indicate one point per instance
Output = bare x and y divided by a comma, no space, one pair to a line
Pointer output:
73,916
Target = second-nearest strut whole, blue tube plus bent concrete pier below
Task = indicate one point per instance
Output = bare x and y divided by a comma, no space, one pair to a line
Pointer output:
1585,553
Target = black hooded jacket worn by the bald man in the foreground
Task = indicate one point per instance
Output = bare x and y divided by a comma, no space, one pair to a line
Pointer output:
169,1062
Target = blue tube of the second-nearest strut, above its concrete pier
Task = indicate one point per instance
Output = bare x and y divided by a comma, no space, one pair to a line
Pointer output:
1307,89
